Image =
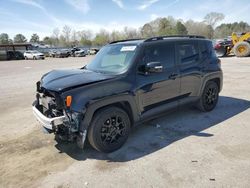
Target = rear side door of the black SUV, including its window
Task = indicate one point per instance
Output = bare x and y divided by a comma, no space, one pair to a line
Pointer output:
190,66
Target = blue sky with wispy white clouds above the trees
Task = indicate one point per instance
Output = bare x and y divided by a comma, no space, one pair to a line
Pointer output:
42,16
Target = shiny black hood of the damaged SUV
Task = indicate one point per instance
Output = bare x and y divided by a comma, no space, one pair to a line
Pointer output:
59,80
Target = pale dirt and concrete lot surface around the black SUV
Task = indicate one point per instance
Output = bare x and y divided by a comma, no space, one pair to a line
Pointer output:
186,148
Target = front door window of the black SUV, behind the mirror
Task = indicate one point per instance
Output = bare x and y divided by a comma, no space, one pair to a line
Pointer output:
163,53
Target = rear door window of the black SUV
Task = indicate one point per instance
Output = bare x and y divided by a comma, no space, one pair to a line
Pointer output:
188,52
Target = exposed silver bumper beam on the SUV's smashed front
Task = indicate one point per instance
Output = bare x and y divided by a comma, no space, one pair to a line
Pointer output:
47,123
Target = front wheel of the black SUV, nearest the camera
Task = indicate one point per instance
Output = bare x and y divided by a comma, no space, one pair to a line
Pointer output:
109,129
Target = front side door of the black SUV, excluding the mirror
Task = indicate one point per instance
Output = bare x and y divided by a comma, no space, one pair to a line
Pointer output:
155,89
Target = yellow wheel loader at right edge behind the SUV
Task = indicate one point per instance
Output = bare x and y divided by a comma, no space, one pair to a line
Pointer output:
239,45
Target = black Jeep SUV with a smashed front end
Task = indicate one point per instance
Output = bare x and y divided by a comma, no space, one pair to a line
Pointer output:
126,83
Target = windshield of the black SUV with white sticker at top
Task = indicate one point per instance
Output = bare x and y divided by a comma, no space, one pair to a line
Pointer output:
113,59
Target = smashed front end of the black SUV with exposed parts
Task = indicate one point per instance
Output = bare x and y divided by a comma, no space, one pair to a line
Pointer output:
55,117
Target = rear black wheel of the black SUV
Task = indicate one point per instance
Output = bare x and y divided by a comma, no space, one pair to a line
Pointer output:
209,97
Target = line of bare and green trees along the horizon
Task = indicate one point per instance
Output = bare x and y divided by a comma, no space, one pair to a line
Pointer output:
67,37
